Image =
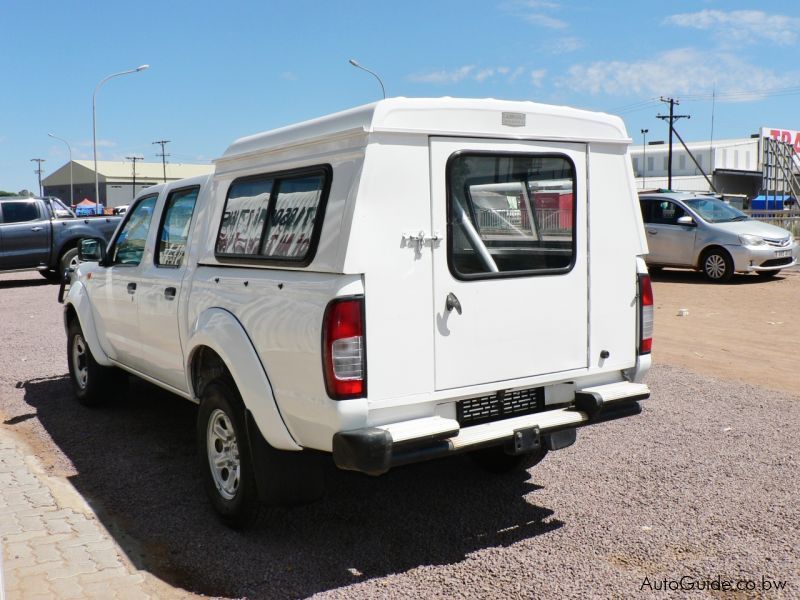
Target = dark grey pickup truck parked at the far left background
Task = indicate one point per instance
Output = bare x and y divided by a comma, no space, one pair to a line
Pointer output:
43,234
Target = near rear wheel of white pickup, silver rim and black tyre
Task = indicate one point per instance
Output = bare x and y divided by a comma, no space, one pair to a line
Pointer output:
225,459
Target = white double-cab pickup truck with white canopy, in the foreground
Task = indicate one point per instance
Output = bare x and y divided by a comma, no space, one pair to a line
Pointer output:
389,284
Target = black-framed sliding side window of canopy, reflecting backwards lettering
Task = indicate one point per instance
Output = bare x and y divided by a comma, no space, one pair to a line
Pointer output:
274,218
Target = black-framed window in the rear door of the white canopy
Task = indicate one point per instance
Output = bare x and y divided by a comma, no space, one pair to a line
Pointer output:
510,215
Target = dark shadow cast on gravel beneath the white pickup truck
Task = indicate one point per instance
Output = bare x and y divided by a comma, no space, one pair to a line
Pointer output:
136,465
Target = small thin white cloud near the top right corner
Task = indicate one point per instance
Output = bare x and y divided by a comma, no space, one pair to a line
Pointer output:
741,25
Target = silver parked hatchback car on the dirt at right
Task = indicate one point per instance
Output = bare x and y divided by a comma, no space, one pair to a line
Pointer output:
702,232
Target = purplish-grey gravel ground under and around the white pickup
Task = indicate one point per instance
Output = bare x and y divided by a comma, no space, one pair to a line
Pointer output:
703,484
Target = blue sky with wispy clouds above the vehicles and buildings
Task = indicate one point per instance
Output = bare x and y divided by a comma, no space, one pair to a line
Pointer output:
221,70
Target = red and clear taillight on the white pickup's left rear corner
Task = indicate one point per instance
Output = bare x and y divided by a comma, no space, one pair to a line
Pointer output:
343,351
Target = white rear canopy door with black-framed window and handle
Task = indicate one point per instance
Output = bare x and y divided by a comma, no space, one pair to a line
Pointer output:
510,274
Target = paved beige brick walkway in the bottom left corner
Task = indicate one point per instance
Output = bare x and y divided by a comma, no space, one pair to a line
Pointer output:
53,546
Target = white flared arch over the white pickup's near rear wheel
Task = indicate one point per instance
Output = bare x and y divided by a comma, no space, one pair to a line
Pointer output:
222,332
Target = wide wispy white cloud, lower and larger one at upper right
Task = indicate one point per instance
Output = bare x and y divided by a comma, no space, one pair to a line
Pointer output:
677,72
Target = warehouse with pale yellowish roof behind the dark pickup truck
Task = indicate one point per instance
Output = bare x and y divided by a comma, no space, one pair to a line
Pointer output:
118,183
